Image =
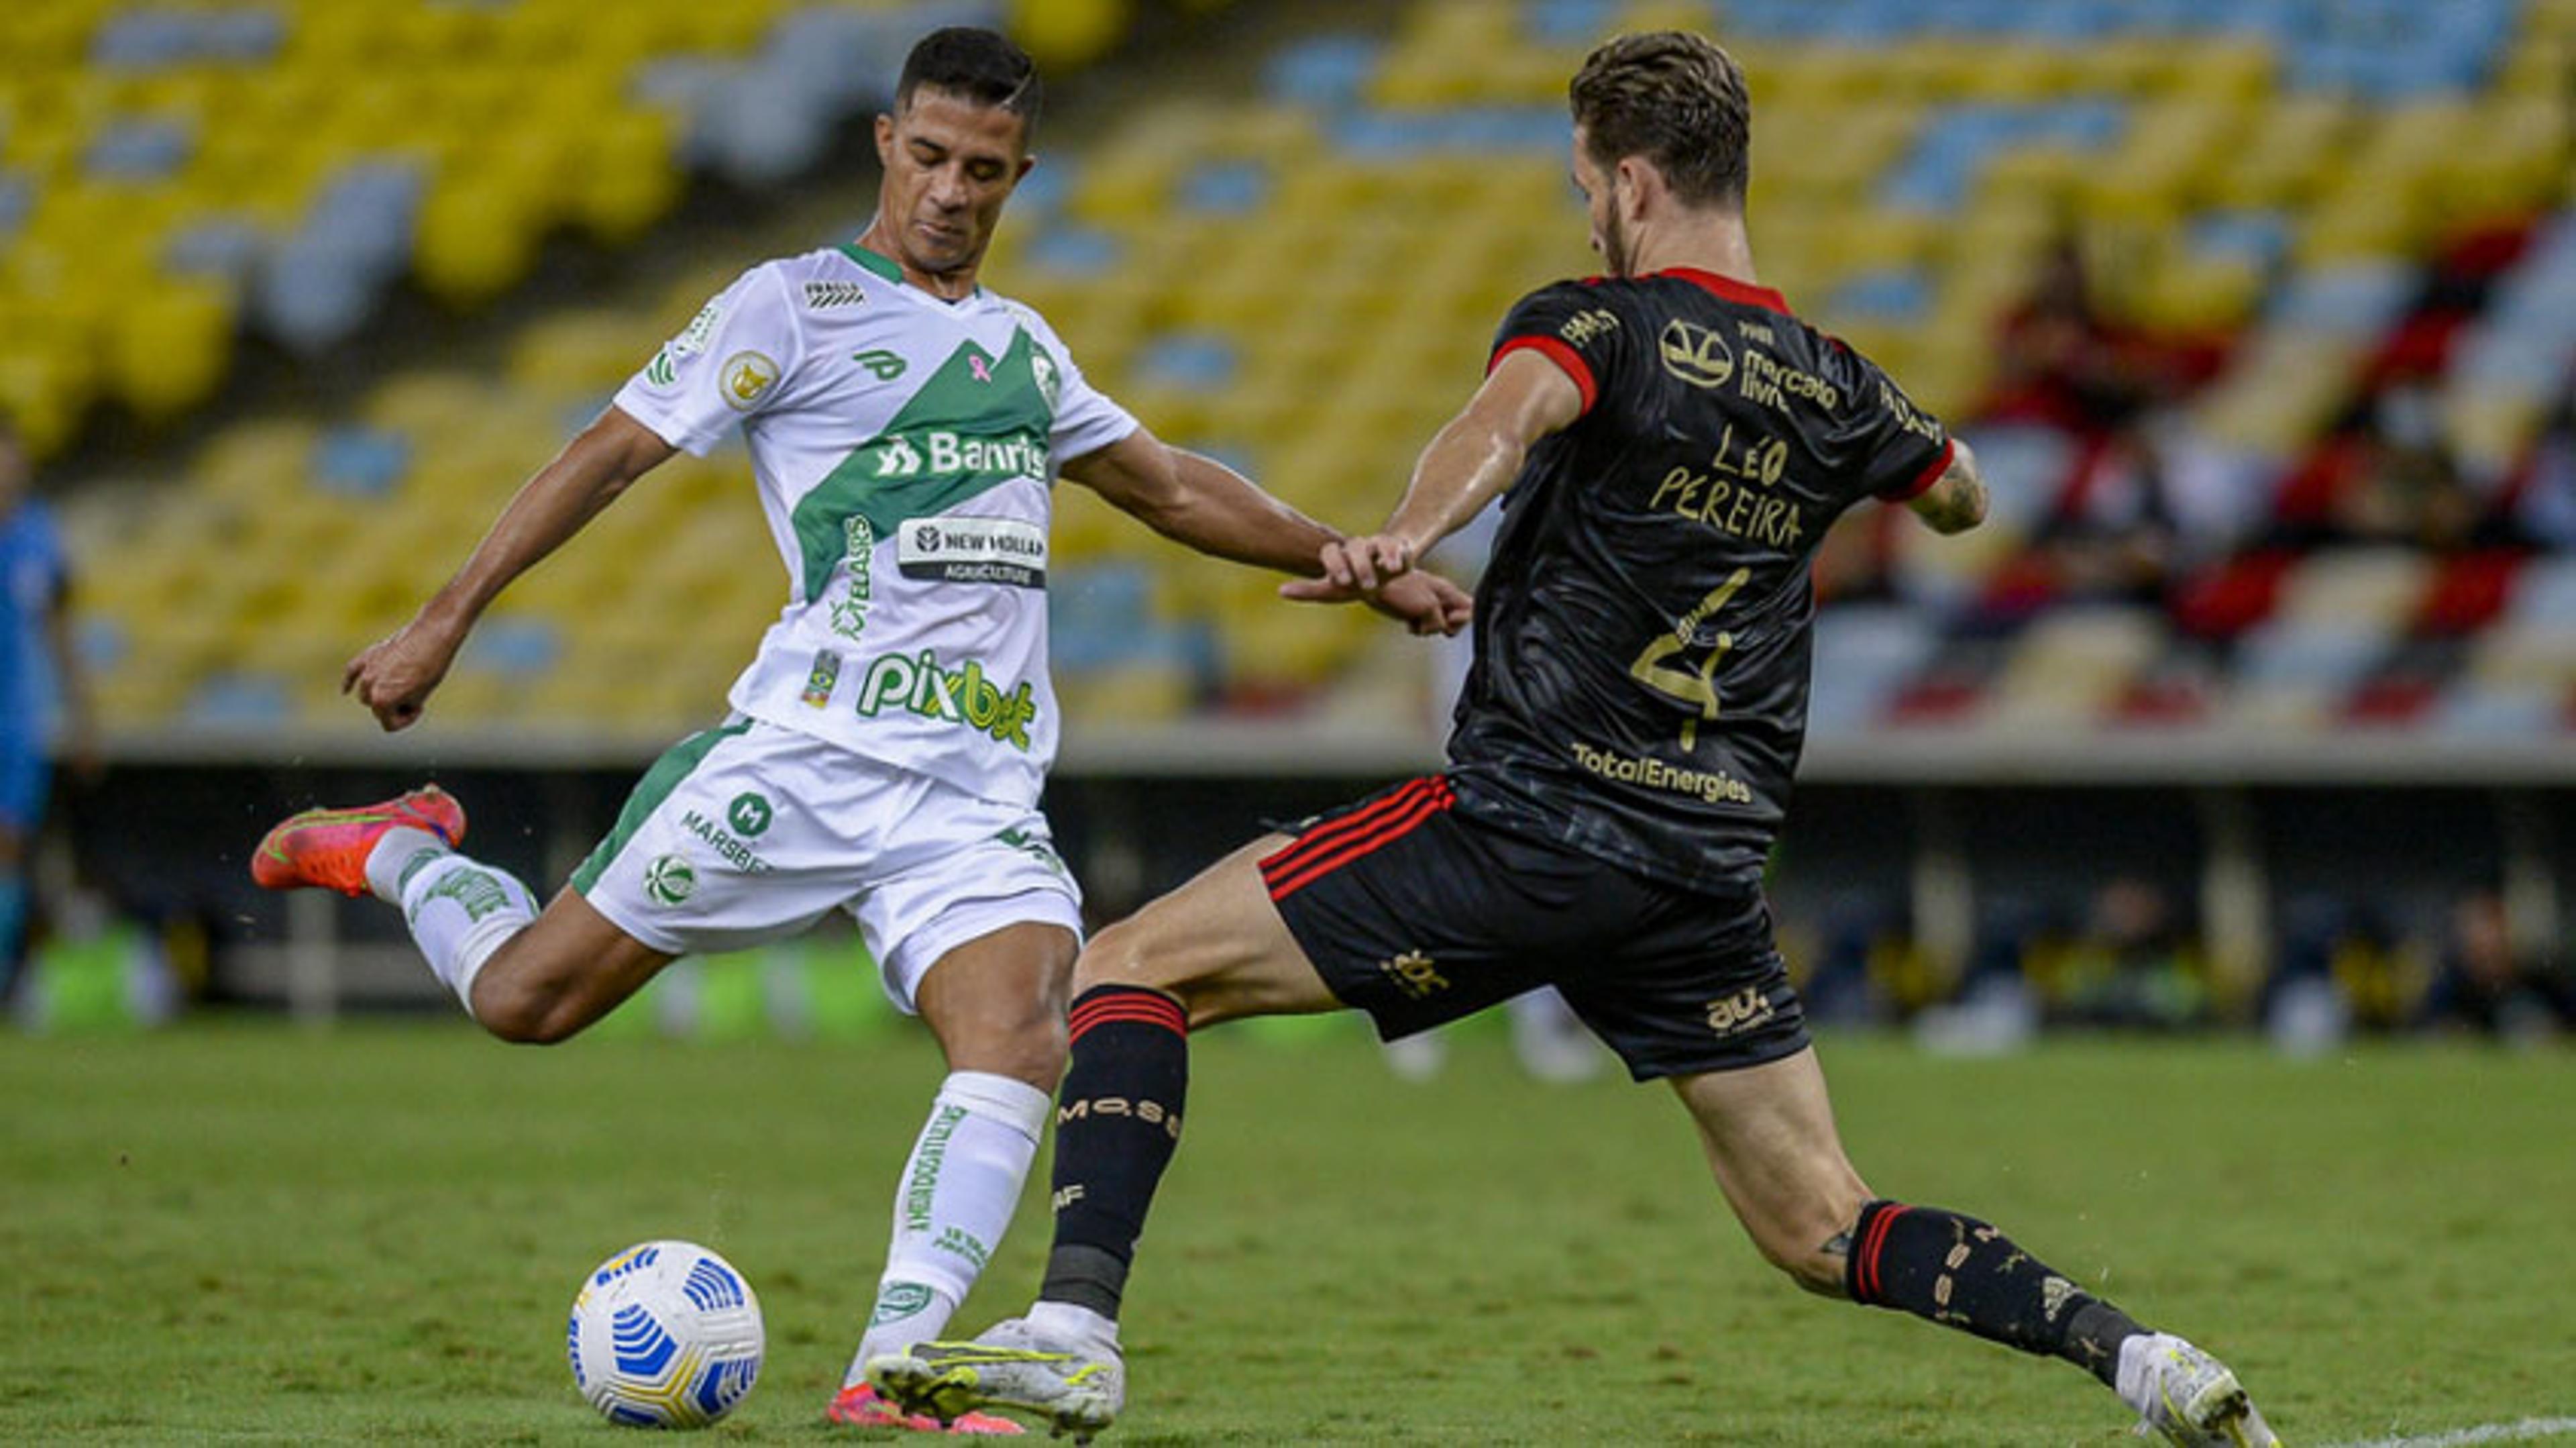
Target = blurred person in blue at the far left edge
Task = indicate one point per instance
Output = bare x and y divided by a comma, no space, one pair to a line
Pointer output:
40,671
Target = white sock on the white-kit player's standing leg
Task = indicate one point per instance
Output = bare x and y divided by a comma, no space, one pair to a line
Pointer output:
952,1207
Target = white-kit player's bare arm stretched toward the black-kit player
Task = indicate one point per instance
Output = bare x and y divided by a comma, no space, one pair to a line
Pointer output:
1225,514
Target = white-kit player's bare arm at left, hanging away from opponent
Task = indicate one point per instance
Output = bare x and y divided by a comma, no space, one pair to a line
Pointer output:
395,676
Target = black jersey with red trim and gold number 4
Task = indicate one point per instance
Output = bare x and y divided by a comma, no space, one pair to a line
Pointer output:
1645,625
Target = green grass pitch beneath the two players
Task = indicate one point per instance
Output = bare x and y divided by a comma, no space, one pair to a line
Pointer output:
254,1233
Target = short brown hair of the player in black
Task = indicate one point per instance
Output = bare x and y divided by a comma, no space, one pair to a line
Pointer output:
1673,99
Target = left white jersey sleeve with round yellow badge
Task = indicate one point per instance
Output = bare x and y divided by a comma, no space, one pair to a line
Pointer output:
723,370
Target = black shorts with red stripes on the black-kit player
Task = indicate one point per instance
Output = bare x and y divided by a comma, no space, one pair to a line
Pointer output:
1421,916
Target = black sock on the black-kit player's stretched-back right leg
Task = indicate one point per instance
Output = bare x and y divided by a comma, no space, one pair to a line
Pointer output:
1964,1274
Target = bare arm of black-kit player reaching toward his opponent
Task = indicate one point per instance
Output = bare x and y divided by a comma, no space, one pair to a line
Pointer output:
1464,468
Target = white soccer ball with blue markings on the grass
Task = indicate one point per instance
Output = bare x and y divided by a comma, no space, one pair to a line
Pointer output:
666,1336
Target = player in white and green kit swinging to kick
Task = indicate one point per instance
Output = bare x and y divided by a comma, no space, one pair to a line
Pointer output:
890,741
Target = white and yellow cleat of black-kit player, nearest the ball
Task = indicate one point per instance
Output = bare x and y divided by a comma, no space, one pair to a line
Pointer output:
1011,1367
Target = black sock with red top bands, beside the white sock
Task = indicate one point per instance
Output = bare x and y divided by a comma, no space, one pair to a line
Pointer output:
1117,1127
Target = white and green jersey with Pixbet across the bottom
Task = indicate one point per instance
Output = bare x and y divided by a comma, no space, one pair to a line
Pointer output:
905,457
